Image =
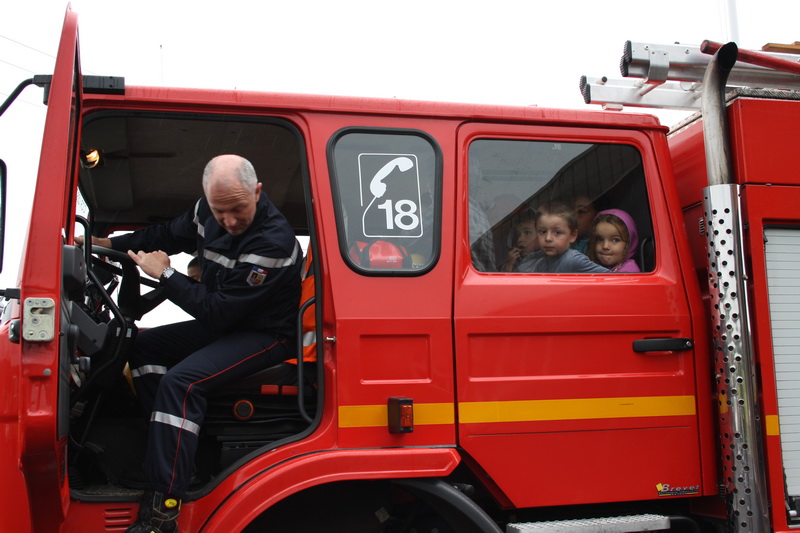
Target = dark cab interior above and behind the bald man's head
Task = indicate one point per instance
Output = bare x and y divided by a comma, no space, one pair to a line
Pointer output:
151,165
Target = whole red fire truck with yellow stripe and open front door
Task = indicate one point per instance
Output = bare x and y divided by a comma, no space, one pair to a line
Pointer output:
442,393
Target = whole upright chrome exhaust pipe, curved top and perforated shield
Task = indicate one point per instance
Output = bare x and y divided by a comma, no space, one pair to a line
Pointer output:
744,480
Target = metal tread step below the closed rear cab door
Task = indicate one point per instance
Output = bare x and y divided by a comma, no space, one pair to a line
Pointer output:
613,524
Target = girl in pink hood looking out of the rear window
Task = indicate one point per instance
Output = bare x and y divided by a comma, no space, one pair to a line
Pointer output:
613,240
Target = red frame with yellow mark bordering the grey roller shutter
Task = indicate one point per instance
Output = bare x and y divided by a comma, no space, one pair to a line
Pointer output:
773,226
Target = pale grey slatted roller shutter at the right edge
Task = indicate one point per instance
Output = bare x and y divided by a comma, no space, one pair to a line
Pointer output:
783,278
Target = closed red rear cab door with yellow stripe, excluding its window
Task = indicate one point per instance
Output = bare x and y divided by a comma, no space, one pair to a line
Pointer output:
541,356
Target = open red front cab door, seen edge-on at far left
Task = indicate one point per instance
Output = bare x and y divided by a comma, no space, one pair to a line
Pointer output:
39,348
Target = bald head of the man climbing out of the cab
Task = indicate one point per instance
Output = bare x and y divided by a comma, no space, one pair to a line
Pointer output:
232,192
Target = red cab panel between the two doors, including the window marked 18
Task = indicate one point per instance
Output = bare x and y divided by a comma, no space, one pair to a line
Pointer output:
393,326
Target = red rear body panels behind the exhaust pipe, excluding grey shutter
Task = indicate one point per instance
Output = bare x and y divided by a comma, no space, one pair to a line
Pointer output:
764,153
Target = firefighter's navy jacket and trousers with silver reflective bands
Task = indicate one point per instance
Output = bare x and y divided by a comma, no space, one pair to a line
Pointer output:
245,314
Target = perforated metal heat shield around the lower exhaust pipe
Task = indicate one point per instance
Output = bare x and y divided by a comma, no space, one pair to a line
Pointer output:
743,475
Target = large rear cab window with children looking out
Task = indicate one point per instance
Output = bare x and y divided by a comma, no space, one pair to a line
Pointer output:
514,183
